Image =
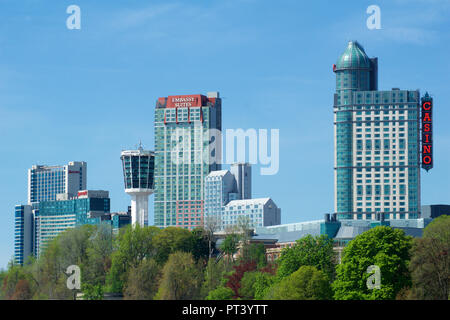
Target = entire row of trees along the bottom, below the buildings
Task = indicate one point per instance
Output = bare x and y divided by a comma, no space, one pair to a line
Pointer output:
176,264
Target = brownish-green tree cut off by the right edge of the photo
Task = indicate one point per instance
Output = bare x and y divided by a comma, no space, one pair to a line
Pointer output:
430,261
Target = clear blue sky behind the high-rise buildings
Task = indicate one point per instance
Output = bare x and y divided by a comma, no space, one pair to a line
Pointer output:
68,95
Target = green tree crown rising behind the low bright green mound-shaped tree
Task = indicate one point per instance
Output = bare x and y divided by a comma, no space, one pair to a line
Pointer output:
308,251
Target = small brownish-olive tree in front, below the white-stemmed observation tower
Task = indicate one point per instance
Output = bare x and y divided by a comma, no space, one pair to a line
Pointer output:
143,281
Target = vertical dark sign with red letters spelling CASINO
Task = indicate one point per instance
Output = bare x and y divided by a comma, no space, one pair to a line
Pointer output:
427,132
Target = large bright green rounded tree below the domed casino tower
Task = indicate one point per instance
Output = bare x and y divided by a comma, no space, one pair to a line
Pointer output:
382,246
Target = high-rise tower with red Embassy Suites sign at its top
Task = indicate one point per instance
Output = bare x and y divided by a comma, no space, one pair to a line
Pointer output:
187,148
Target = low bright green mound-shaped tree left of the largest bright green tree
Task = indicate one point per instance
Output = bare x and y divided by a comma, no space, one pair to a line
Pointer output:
307,283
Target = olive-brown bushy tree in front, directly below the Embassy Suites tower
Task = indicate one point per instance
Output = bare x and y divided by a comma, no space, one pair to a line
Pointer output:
181,278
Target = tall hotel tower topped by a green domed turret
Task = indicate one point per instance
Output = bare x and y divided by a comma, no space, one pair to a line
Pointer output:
377,156
